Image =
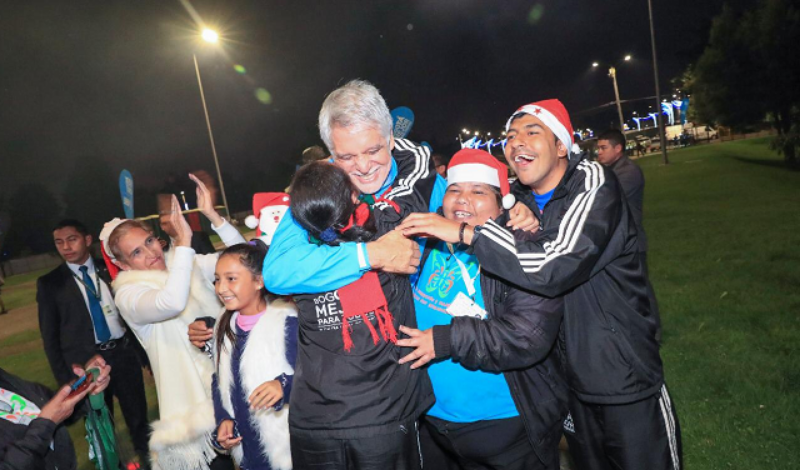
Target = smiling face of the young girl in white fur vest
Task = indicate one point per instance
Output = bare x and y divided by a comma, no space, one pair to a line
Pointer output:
237,287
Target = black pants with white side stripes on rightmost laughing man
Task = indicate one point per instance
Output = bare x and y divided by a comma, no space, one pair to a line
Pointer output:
634,436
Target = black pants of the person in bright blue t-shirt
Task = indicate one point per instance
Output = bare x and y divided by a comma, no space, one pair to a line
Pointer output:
482,445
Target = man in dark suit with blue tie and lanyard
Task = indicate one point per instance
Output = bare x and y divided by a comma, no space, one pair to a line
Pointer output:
78,319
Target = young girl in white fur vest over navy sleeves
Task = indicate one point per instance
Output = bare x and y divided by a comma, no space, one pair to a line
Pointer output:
256,346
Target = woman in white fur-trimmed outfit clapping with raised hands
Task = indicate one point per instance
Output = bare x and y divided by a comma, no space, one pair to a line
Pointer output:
159,295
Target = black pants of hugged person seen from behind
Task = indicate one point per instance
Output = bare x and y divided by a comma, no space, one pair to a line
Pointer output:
396,451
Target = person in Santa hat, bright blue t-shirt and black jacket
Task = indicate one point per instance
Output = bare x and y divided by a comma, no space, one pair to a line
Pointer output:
500,397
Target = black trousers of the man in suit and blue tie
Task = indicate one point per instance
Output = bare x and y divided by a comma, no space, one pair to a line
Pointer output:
127,384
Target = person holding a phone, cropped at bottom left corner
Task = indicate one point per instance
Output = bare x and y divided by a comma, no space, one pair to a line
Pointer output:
33,434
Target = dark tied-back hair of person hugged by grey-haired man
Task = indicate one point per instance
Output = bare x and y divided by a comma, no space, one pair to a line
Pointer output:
322,203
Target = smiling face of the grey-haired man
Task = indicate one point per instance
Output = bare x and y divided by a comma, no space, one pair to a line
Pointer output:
365,154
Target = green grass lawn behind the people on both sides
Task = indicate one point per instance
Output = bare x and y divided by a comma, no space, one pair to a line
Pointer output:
724,234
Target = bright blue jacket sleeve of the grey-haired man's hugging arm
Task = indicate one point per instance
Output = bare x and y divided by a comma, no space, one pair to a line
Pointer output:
295,266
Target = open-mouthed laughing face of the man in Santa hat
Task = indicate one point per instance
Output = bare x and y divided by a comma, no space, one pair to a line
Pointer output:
537,157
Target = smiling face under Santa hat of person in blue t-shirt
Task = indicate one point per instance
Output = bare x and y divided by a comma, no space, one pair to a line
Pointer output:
473,203
